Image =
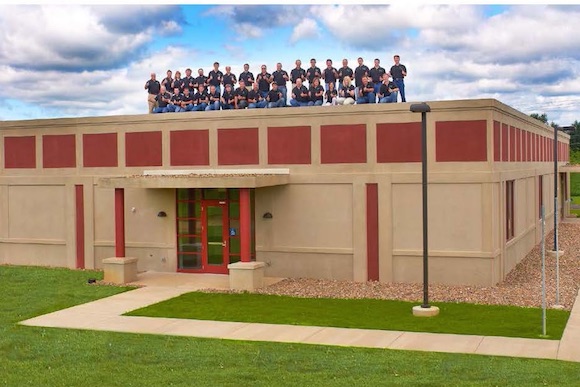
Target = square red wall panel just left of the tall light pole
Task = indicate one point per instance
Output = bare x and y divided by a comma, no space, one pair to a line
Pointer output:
399,143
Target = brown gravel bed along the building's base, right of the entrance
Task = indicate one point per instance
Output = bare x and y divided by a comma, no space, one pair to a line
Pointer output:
521,287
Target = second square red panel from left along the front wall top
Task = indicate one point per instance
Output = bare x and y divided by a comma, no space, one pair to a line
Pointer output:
59,151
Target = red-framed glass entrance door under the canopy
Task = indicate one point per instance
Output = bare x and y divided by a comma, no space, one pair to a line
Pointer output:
215,236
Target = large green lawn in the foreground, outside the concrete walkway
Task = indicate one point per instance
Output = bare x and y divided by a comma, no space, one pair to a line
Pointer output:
33,356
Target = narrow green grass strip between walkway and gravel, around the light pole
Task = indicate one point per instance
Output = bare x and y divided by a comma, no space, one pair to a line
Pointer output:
460,318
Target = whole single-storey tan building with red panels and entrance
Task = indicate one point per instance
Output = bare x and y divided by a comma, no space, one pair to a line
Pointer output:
323,192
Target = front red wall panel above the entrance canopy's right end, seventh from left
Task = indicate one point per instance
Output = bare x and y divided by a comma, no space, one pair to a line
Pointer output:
289,145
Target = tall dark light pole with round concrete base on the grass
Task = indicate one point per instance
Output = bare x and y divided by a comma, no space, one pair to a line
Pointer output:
424,310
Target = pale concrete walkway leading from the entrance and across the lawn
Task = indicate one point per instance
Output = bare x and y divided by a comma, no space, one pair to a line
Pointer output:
106,315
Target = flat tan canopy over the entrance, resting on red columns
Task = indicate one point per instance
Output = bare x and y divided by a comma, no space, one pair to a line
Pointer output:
200,178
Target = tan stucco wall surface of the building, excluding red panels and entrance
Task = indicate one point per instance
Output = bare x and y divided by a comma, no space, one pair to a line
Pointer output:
318,227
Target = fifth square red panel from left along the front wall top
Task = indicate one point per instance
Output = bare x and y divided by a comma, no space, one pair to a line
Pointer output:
189,147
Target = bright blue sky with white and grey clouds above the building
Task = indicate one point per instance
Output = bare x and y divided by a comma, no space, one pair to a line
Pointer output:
75,60
